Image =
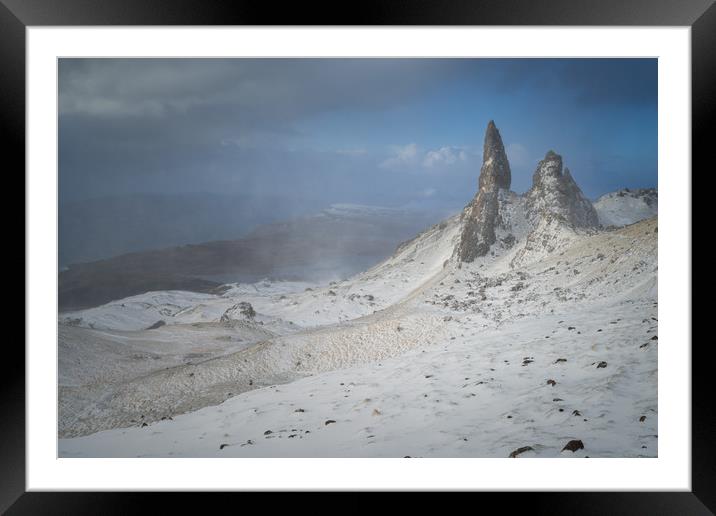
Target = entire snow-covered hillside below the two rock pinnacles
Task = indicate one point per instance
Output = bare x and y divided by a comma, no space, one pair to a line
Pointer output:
418,356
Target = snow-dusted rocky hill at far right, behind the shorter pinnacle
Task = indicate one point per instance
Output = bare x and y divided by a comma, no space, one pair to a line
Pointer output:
627,206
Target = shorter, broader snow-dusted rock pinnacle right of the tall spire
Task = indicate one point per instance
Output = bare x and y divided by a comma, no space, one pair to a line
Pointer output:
555,194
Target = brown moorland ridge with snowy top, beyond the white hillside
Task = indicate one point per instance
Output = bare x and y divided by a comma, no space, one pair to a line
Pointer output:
339,241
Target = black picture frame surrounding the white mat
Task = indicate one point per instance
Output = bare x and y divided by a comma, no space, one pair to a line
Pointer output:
17,15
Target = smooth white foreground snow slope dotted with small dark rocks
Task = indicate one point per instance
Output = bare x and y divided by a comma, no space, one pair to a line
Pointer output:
479,395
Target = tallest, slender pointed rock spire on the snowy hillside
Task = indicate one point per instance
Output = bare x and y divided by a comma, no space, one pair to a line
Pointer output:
482,214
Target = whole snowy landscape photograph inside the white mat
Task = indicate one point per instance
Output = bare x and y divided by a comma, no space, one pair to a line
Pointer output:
357,257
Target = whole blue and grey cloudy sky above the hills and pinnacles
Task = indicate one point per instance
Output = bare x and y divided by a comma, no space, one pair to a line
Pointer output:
390,132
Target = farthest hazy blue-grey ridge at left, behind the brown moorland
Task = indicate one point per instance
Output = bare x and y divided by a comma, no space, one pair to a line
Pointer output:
101,228
